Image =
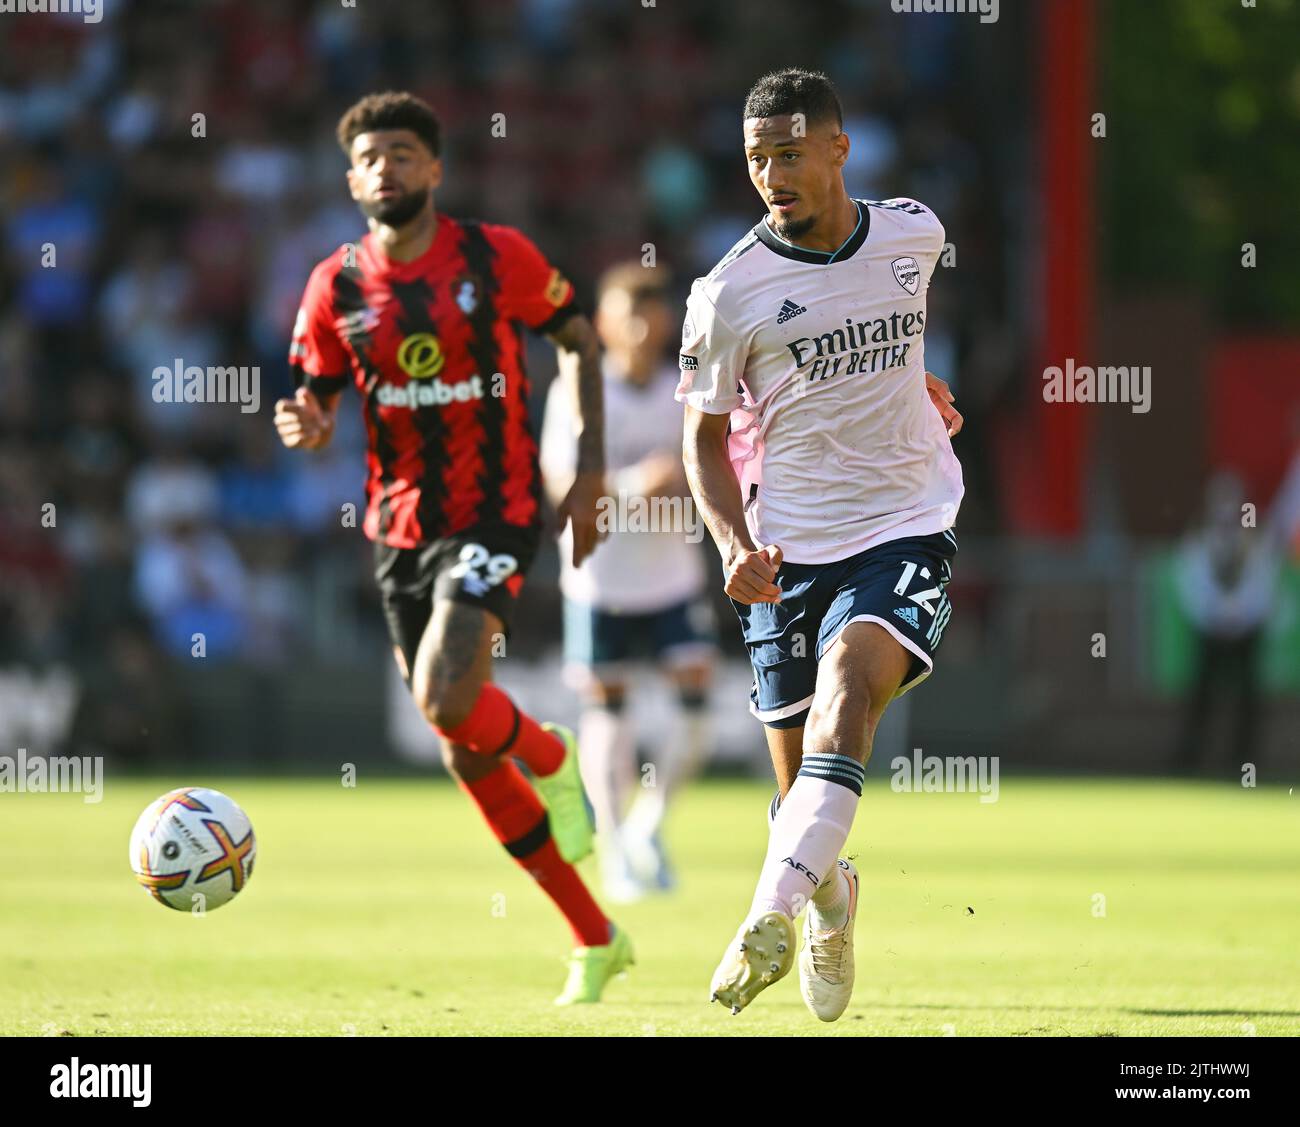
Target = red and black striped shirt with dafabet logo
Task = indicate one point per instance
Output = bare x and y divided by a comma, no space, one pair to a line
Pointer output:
436,349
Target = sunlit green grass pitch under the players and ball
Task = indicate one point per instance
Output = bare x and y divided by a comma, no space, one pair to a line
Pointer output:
378,911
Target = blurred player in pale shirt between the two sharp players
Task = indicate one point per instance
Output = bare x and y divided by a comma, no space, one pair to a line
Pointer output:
642,593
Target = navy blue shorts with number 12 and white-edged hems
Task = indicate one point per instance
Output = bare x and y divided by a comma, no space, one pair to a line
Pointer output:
902,586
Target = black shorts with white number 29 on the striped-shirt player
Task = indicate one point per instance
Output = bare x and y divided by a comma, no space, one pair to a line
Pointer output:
483,566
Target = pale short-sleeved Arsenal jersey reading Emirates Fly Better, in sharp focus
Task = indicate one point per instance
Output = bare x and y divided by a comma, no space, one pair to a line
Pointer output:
820,361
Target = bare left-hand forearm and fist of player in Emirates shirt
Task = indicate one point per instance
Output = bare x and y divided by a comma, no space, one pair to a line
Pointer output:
751,571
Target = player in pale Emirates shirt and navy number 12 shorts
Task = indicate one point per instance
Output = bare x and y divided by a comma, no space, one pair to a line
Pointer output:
826,475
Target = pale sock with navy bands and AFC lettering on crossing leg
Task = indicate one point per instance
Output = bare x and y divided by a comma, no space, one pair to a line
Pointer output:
809,833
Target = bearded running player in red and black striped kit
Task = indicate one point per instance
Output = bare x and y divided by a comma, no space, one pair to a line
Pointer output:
424,317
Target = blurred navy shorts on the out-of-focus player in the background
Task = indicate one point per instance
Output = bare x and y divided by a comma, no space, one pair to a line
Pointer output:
604,641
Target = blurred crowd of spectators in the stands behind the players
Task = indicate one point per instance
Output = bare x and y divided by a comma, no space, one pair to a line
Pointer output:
170,176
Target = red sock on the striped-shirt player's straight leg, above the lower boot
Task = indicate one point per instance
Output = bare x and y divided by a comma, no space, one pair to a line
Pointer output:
518,818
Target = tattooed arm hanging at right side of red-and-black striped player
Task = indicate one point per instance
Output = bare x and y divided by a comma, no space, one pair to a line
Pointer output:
580,367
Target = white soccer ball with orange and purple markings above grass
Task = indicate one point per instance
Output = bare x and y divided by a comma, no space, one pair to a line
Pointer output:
193,849
